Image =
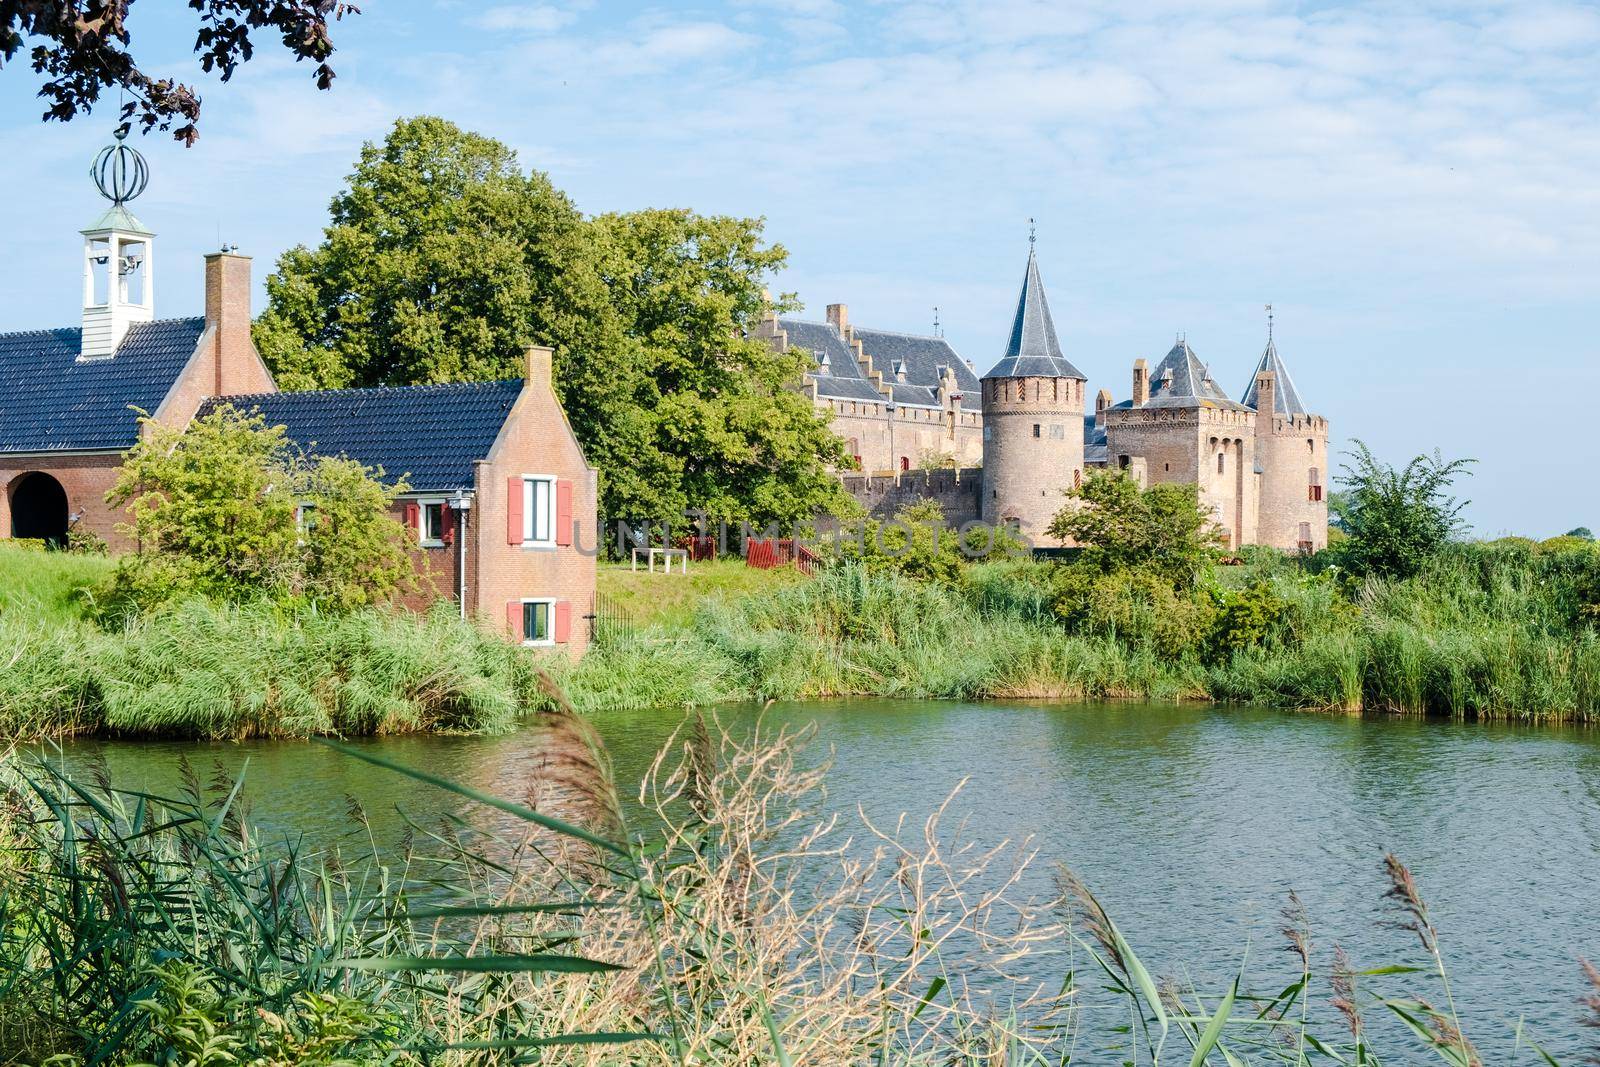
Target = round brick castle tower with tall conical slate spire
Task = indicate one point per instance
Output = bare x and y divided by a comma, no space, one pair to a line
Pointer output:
1033,404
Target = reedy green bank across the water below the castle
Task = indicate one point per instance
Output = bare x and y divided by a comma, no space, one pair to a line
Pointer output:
1487,631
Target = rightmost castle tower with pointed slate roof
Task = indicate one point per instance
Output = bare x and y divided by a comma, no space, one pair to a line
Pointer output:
1292,455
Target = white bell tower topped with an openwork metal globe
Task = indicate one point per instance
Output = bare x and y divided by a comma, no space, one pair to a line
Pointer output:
119,263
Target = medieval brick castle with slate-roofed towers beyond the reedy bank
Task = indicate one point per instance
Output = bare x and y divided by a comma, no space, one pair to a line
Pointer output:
1028,436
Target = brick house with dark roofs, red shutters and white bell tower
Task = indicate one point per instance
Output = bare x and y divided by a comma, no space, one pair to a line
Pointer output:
500,495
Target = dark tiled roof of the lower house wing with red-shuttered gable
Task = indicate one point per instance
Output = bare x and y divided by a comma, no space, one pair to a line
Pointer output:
428,434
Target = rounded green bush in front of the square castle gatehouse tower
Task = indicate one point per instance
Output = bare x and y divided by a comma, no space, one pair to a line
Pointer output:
1159,530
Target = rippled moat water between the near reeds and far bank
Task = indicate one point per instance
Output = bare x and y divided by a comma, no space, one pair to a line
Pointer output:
1191,823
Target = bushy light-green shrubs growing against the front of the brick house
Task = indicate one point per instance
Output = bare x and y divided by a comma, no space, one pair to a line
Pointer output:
230,510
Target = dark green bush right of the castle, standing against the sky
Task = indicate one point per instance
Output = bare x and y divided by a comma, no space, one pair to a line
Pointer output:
1398,519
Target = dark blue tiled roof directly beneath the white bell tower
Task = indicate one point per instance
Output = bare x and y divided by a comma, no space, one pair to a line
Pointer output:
52,402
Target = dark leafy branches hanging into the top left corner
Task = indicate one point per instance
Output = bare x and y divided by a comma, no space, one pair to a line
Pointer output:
86,47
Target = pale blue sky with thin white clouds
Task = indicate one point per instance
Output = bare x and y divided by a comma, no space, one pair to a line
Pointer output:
1414,186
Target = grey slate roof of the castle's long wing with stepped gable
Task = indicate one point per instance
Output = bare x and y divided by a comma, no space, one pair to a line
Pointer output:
842,378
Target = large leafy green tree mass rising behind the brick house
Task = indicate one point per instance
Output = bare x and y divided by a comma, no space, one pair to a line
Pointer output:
444,262
